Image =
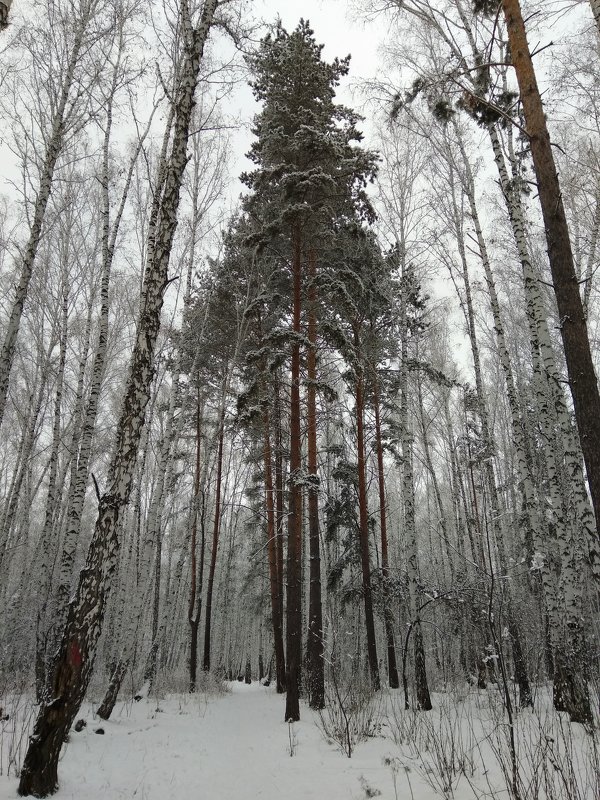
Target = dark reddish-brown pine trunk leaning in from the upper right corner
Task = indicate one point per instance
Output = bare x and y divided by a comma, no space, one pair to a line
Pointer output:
580,367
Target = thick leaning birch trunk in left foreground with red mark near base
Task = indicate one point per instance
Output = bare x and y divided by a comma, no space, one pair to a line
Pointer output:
72,668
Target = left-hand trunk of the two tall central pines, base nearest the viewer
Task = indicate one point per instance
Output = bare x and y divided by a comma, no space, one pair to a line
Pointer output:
294,554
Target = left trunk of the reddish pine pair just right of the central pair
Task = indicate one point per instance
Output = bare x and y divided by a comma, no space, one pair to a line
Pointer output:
364,525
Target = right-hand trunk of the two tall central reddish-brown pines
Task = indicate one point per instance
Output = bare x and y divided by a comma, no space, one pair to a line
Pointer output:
316,674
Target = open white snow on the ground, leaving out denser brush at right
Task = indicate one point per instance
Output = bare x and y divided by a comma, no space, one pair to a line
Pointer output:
236,746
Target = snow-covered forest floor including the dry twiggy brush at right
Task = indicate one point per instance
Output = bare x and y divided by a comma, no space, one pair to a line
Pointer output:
236,746
